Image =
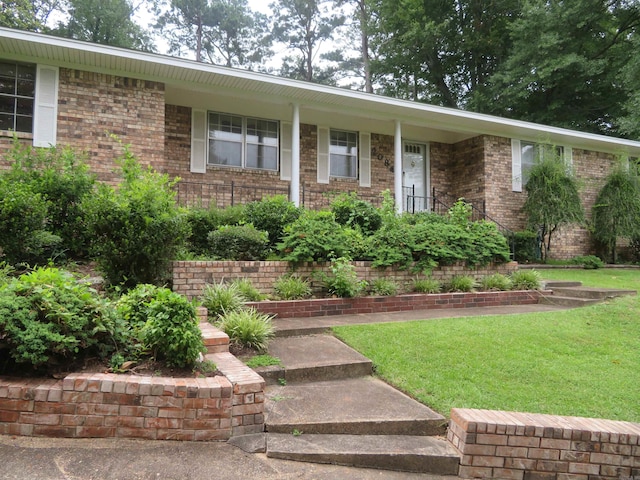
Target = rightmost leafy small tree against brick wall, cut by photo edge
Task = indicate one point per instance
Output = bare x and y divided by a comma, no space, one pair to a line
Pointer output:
616,213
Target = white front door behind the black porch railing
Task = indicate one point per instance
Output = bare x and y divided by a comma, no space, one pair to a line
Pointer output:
415,185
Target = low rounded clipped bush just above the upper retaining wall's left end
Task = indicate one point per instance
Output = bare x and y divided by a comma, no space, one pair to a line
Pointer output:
238,242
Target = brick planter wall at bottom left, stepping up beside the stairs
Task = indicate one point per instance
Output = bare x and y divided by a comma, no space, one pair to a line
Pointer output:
106,405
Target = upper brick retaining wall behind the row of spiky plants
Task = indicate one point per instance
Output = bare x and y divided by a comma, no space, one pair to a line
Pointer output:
190,277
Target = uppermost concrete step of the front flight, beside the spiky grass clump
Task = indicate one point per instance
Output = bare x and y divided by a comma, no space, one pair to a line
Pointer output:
314,358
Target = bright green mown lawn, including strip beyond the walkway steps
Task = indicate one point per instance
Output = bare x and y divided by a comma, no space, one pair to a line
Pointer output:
580,362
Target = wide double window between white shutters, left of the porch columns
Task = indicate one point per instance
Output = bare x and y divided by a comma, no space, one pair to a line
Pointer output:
245,142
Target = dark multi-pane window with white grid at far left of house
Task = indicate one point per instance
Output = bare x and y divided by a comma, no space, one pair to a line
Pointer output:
17,94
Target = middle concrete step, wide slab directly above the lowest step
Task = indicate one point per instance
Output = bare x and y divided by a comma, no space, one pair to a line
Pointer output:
355,406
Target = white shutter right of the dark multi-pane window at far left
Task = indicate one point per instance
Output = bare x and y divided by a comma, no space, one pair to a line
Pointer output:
45,111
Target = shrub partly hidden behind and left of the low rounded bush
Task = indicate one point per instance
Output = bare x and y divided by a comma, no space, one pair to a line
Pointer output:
202,221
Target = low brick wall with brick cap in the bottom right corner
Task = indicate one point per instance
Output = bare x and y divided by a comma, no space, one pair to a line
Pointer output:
525,446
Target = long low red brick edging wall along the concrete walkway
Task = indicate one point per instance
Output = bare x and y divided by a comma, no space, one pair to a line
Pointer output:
352,306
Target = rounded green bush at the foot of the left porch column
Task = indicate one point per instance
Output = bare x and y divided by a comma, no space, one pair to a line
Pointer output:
272,214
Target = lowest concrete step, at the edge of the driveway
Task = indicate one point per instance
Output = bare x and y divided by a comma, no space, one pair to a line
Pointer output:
390,452
